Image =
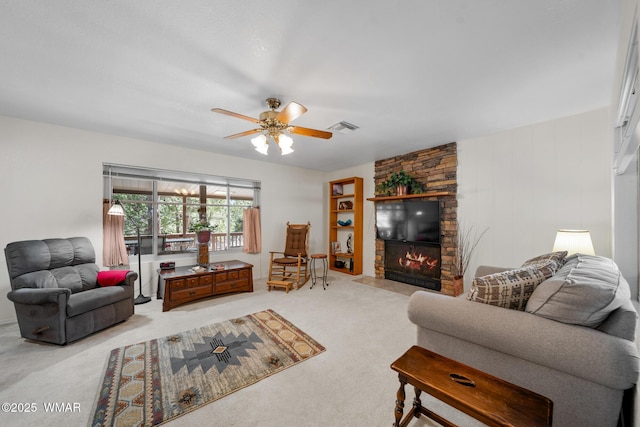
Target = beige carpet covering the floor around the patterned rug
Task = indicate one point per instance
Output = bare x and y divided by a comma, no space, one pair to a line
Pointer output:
364,328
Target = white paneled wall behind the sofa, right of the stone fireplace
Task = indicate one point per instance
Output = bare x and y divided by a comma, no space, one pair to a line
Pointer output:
526,183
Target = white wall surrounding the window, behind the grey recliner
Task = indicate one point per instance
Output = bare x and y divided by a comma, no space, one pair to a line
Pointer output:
52,185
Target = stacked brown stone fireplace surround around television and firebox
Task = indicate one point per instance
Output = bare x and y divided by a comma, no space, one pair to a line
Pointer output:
436,169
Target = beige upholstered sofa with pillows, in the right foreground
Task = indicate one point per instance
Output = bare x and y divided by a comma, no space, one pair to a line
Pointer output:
569,334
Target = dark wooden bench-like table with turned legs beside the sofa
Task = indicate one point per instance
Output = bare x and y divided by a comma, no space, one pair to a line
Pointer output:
484,397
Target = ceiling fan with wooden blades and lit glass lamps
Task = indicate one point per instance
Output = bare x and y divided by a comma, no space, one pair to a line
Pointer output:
273,124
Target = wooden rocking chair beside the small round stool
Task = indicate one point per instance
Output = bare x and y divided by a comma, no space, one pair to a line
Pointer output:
291,265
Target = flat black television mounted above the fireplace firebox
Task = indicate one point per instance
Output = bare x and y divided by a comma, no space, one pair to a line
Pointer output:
409,220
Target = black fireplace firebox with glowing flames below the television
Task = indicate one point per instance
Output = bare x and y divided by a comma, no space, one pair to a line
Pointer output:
414,263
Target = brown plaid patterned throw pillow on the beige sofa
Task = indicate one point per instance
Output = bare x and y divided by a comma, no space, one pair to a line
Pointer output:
512,288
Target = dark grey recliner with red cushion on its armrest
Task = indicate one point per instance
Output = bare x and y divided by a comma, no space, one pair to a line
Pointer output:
56,293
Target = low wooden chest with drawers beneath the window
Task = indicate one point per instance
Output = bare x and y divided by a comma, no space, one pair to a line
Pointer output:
182,285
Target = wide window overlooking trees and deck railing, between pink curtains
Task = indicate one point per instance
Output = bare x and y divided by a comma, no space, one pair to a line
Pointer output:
161,205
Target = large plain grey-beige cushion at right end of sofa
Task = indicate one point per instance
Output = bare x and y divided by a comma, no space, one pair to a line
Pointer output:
583,292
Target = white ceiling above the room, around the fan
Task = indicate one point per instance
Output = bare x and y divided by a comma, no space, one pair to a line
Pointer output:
412,74
